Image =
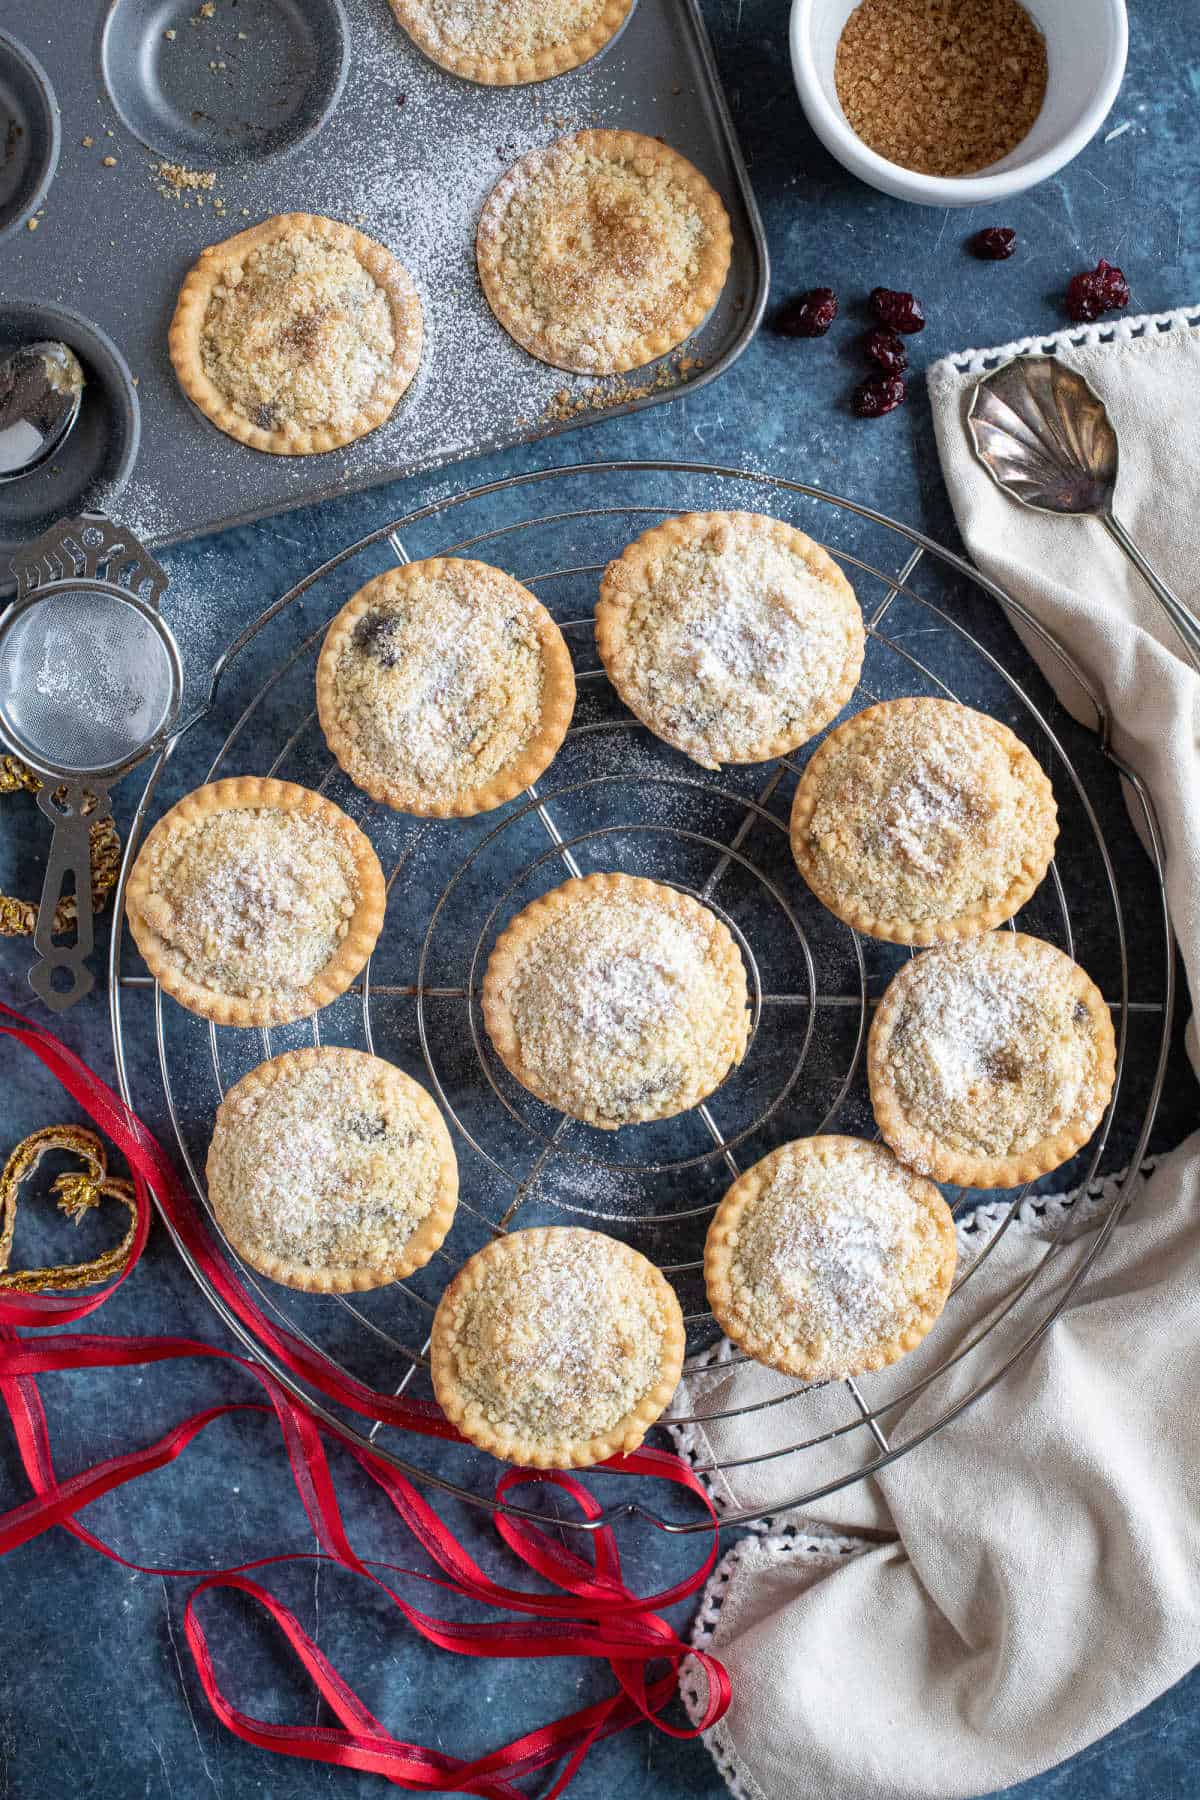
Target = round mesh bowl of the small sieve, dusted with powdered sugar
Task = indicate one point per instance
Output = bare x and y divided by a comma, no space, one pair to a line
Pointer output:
87,681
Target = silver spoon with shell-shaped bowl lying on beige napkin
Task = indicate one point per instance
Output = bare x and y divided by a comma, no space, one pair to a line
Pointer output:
1046,438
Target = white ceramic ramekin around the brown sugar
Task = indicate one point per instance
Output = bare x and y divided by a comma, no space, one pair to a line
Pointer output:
1086,44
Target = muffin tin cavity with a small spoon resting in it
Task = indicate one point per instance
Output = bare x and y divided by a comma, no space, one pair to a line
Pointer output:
89,471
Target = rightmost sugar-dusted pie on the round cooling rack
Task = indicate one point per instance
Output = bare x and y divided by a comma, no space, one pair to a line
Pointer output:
990,1061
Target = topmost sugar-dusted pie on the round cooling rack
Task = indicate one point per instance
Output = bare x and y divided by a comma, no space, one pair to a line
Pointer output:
731,636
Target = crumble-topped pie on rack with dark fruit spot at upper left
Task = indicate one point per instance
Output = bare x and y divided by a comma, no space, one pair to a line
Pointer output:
445,688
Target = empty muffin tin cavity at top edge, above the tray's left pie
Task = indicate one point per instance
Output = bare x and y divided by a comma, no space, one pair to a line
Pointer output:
229,85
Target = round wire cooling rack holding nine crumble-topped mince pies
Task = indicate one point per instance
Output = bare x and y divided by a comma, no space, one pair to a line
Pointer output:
616,798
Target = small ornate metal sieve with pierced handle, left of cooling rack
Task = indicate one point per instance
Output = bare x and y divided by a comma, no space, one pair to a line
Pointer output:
91,683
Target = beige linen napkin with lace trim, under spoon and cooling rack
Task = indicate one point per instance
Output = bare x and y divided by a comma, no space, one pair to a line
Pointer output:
1039,1570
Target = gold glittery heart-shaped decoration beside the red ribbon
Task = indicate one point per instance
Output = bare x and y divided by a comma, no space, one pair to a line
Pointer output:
76,1196
